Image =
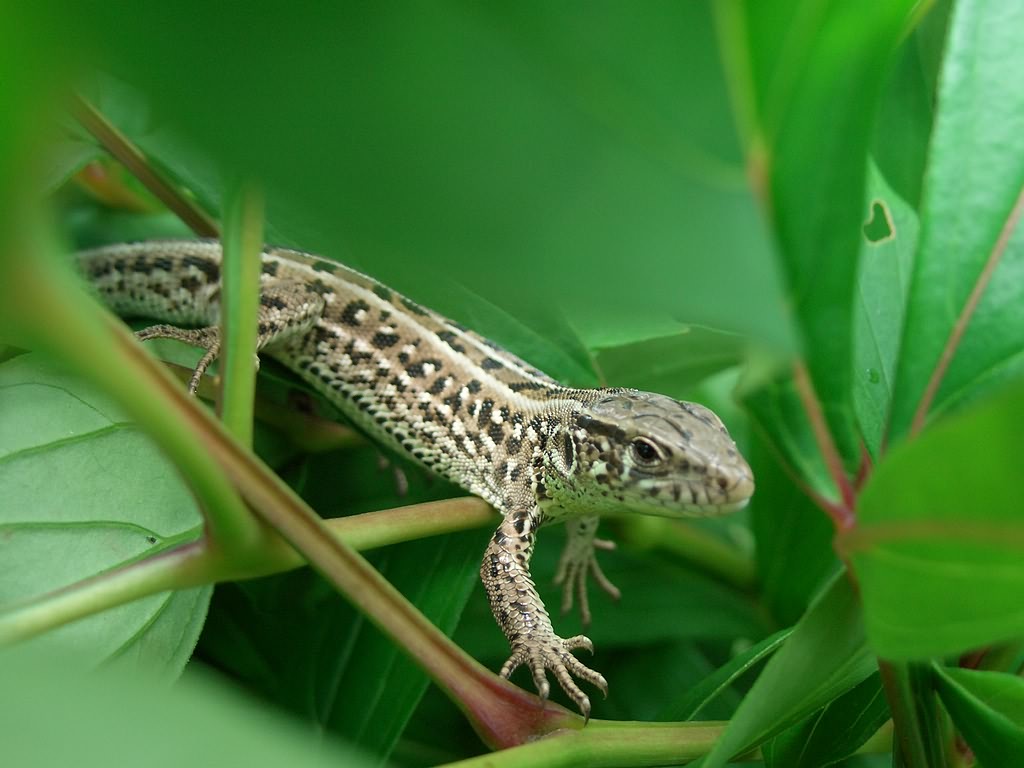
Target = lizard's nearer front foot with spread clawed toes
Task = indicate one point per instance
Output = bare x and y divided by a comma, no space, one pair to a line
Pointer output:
557,655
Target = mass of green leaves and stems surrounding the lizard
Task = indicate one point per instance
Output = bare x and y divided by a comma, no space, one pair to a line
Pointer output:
805,216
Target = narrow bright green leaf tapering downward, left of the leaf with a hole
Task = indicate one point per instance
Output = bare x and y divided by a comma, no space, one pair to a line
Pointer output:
800,58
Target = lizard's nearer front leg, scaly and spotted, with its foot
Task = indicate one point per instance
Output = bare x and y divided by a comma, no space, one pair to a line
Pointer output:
521,614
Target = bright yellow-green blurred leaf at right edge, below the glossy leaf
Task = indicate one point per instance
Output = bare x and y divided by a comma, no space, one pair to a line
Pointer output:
940,535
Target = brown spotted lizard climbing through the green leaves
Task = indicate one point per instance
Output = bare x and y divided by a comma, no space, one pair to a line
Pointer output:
464,408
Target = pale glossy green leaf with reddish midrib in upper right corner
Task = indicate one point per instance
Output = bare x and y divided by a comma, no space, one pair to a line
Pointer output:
975,180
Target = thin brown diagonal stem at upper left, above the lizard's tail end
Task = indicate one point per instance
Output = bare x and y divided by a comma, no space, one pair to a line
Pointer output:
136,161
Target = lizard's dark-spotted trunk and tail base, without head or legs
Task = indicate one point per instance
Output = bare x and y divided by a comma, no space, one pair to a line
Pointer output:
455,402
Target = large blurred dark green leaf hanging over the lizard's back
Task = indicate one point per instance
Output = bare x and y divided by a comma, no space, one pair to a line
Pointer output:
603,183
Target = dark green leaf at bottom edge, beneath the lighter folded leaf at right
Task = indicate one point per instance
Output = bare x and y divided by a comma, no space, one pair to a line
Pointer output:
834,733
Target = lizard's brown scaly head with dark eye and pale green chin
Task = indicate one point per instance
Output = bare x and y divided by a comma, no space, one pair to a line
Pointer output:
651,454
